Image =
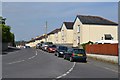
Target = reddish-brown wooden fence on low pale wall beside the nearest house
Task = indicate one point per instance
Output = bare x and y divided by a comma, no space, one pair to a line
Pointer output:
104,49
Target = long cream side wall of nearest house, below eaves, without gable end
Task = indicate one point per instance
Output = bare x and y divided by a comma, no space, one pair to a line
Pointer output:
96,32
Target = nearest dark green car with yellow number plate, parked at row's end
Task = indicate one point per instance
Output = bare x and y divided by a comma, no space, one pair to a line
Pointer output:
75,54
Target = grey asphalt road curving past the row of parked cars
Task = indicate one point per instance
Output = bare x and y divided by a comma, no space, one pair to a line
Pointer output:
35,63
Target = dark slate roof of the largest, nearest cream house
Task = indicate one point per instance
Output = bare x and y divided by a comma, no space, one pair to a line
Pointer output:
95,20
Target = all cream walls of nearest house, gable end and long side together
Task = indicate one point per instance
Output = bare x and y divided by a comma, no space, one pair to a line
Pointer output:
92,32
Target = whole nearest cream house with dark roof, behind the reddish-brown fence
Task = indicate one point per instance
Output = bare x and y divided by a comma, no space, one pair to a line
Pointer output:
93,28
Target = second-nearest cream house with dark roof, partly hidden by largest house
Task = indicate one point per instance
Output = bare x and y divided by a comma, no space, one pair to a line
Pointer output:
67,33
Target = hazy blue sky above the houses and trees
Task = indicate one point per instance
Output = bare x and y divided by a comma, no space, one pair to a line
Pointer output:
27,19
